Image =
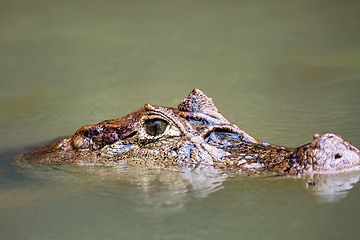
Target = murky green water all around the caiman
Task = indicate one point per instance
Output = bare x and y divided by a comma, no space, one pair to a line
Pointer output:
280,70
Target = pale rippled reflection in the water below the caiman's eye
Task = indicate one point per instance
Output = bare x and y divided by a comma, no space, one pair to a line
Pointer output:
161,189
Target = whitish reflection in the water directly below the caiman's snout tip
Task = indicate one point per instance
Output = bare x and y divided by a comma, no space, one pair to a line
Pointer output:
333,187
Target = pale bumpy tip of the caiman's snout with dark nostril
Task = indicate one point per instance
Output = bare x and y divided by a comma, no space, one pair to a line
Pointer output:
330,153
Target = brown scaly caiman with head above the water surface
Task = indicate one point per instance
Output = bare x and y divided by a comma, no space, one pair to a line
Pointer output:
194,135
